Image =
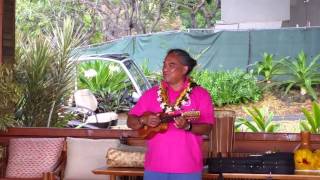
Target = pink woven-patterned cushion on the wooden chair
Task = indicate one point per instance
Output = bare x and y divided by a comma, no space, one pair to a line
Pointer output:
30,157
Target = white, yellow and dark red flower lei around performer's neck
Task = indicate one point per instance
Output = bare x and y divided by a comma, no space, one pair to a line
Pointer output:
183,98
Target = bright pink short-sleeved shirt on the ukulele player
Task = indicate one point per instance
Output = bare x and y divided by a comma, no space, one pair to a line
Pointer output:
176,150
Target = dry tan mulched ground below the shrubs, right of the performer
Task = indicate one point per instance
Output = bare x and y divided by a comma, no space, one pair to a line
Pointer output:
286,109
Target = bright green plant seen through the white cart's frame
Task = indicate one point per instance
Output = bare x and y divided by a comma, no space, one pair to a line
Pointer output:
106,81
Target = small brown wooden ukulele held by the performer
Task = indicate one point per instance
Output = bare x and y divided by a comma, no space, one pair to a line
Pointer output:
147,132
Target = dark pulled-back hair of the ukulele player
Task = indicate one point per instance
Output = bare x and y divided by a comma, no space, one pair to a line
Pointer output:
186,59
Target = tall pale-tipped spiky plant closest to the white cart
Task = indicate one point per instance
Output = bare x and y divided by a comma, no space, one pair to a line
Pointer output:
63,41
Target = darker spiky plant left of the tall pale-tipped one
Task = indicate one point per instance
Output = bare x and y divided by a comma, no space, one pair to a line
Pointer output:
34,107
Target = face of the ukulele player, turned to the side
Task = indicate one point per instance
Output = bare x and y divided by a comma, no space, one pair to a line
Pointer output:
173,70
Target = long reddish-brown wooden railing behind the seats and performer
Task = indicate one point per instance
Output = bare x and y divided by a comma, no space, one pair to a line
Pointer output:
245,142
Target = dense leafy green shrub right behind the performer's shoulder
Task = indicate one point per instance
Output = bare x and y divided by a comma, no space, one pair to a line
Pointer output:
230,87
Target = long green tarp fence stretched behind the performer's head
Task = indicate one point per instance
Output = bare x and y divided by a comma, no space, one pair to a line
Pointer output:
217,51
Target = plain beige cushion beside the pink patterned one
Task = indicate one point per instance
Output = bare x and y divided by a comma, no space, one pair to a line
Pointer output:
85,155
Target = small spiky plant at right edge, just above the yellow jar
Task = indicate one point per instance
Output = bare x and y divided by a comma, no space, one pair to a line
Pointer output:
312,122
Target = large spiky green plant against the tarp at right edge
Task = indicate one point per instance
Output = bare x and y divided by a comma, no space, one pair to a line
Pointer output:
300,74
